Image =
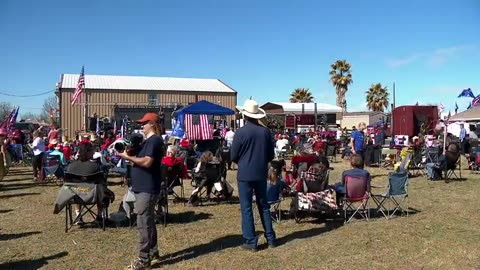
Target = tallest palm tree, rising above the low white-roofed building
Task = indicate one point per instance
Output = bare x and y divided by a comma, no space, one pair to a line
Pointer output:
341,78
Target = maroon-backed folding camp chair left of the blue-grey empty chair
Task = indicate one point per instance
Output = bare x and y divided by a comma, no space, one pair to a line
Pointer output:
356,192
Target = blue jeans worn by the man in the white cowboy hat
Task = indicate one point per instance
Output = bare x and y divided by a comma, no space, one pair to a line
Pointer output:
245,192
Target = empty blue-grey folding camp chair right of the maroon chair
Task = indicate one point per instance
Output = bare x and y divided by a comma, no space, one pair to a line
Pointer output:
397,193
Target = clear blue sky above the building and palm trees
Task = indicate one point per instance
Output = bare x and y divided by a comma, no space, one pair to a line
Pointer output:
264,49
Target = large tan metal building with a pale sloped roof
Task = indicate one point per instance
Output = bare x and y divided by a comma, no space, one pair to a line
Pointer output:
117,96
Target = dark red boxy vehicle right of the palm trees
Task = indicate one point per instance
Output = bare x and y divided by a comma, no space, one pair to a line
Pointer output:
408,120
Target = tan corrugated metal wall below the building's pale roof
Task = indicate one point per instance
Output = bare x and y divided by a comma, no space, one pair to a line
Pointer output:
102,103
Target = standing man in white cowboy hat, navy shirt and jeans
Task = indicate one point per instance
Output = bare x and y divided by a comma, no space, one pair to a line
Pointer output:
252,149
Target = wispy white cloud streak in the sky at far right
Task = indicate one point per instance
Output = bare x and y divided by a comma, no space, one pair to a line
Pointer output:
433,59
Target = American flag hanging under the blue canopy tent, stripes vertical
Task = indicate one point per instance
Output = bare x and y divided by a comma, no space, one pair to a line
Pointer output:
199,127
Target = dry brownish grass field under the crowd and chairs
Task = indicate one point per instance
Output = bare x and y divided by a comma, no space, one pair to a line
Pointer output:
443,232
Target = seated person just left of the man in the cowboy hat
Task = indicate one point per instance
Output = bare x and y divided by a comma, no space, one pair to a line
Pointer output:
201,174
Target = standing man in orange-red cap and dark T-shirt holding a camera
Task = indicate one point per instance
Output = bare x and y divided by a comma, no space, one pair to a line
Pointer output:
146,180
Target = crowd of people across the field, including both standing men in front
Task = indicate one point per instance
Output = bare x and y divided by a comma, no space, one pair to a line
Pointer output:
257,153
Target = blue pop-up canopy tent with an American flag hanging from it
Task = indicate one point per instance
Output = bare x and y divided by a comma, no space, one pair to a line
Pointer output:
195,122
